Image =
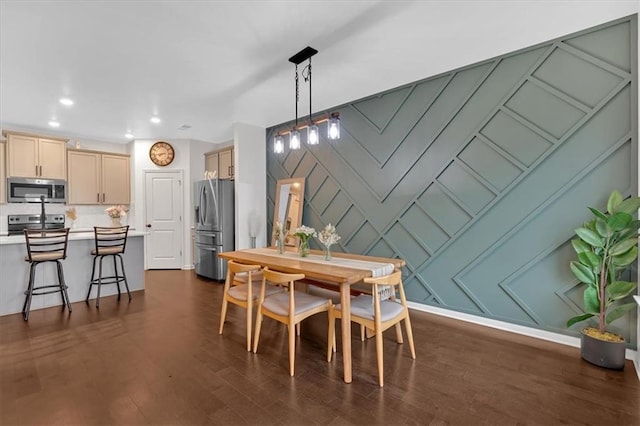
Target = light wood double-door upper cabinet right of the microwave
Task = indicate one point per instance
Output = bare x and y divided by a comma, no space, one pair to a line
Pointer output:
98,178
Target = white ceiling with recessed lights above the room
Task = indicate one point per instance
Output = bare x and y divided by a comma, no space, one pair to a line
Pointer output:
209,64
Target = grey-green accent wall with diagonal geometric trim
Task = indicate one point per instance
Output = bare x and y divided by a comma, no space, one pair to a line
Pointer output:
477,177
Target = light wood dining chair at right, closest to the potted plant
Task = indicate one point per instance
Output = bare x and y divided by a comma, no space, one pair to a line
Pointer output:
378,315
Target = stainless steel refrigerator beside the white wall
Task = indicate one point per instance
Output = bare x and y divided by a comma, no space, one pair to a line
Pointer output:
214,225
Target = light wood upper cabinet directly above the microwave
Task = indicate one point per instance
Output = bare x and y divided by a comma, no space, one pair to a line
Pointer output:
36,157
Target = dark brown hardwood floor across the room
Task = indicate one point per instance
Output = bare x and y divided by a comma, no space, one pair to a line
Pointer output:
159,360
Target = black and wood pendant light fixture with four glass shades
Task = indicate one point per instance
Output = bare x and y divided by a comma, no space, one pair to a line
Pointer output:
313,131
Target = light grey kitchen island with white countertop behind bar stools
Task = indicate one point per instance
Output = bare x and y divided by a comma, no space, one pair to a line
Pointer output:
14,271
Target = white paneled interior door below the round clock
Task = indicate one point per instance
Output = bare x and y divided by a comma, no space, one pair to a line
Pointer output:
163,219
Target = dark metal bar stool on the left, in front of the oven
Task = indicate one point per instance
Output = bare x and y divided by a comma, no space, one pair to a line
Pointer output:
45,246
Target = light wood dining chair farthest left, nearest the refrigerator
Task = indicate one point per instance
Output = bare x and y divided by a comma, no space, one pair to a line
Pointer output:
237,291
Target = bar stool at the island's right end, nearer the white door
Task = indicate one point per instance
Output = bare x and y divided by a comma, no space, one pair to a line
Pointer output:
108,242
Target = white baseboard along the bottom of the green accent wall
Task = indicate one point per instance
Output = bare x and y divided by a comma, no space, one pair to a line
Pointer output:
514,328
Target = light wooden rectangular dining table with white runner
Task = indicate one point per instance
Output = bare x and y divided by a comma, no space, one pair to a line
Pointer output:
330,272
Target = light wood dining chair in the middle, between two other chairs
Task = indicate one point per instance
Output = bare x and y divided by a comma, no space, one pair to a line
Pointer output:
289,308
